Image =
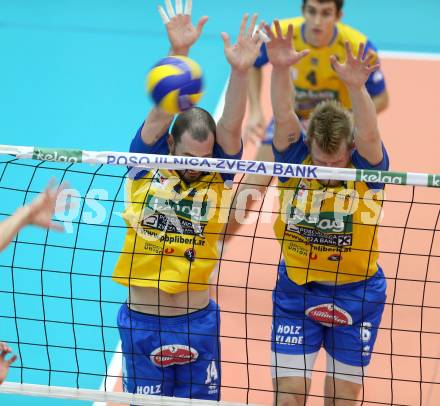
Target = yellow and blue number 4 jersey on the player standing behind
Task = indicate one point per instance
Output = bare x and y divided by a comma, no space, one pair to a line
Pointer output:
313,77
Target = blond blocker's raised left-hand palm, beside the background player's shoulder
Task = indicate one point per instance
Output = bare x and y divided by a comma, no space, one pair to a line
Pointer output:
280,50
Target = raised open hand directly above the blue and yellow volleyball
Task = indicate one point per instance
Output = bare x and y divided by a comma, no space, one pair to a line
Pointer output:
182,34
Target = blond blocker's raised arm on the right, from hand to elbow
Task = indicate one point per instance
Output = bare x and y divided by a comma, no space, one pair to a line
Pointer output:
354,73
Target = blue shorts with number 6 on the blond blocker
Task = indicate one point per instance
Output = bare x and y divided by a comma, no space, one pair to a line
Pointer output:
344,319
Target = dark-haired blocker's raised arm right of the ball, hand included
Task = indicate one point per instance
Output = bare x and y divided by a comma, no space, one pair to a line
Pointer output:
241,57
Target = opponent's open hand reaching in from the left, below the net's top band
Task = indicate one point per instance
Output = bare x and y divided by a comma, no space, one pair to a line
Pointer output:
42,209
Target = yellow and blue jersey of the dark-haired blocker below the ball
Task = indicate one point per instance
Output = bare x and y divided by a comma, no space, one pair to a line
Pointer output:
172,227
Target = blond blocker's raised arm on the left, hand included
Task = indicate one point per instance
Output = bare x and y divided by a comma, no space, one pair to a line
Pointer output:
282,55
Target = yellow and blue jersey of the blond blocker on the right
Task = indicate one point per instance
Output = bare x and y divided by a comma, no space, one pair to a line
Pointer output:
328,234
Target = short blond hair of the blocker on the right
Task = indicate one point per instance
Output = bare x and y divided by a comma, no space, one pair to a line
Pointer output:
330,125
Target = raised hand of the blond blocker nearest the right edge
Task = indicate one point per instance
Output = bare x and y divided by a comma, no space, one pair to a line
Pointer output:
355,71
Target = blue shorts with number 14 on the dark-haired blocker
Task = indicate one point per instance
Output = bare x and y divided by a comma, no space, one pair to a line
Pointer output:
171,356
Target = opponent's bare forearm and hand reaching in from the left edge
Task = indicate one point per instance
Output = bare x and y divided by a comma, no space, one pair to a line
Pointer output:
39,213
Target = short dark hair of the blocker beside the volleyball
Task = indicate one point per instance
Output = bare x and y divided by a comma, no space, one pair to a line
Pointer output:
196,120
